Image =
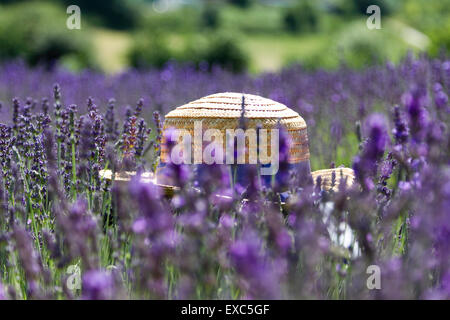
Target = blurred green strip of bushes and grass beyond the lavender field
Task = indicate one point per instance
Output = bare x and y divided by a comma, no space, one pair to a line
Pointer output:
240,35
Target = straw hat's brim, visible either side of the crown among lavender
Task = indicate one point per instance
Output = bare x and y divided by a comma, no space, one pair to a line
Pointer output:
330,179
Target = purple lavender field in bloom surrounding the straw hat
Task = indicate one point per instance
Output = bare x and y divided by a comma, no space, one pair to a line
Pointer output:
67,233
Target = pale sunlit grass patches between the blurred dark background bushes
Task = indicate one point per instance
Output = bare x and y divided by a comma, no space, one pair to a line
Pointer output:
267,52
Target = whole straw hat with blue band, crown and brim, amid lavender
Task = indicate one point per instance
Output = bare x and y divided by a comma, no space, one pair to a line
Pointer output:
221,115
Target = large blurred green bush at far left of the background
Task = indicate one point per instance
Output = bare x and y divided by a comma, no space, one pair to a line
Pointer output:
37,32
